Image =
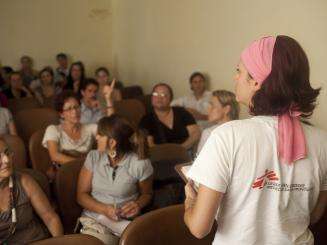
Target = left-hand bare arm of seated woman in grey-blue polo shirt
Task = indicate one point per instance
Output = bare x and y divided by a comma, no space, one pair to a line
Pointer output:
84,187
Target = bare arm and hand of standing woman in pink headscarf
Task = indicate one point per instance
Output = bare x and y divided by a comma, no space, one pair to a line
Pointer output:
201,209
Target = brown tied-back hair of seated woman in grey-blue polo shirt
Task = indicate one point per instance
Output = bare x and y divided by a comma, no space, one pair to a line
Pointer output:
127,137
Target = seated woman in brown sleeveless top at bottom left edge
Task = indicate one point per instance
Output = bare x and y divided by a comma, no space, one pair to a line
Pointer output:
21,201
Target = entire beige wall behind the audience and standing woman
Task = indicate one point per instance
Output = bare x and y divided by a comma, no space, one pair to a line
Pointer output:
146,41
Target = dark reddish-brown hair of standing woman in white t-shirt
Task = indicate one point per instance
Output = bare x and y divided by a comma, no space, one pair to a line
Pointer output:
287,86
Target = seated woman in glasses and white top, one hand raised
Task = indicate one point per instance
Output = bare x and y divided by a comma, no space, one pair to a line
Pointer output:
72,139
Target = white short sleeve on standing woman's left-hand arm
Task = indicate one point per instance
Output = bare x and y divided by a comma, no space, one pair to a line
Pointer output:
212,168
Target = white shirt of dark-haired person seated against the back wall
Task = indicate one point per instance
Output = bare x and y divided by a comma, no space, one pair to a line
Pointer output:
201,105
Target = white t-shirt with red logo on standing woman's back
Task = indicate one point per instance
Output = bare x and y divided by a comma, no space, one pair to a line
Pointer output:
265,201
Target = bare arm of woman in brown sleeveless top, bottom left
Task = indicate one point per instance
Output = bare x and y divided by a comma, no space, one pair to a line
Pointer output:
42,206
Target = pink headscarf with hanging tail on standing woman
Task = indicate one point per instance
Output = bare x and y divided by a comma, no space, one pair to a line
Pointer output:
257,58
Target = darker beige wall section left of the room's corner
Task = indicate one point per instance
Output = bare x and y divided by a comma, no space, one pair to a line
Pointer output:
42,28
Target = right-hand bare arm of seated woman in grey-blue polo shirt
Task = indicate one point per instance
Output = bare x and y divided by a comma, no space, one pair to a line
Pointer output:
133,208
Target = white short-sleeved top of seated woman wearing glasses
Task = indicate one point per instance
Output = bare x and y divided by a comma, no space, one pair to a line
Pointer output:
83,145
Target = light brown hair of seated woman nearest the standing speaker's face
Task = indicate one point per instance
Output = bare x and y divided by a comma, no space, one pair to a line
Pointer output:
228,98
